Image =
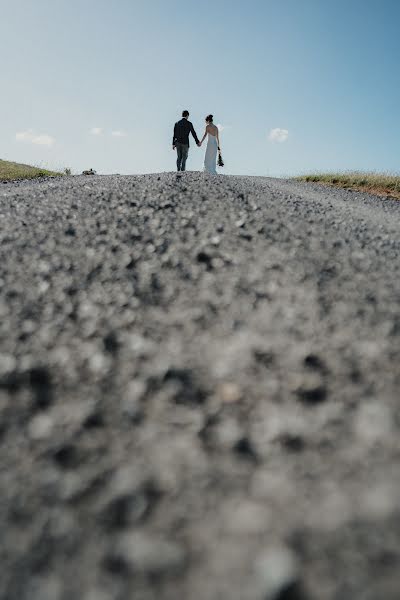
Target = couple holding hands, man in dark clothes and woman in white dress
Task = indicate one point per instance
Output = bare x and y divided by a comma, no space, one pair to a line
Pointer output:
180,141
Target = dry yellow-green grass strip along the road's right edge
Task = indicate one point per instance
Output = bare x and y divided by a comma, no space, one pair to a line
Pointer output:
381,184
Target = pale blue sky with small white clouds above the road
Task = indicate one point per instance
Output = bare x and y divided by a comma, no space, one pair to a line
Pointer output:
96,83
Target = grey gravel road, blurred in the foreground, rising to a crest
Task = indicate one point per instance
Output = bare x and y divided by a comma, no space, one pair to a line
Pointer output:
199,390
